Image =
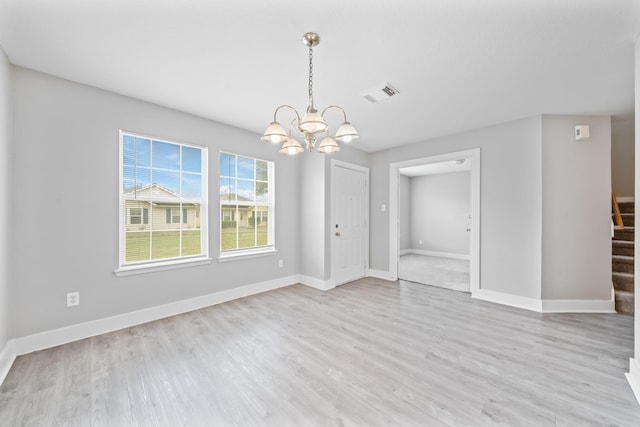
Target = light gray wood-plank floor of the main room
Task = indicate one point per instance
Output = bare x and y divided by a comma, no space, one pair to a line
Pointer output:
367,353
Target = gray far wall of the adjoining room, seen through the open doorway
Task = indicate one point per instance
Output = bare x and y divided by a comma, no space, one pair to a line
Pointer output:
440,210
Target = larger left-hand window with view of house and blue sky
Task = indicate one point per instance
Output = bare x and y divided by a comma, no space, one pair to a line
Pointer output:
162,196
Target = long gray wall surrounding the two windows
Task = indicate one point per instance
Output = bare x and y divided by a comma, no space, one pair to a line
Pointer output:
66,188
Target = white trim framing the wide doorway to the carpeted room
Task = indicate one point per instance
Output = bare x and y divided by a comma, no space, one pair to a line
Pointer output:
394,217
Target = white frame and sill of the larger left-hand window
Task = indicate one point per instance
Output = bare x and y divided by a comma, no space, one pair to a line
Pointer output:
127,268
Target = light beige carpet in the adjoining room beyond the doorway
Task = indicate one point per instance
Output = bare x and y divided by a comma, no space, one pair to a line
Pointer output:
436,271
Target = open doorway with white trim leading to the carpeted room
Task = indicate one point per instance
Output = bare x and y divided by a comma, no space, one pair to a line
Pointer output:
434,220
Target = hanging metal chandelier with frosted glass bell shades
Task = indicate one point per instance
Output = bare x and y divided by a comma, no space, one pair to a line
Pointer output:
313,124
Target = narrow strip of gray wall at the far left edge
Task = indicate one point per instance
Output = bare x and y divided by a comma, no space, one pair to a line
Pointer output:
5,196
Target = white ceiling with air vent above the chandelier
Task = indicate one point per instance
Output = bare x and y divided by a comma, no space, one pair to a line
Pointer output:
458,64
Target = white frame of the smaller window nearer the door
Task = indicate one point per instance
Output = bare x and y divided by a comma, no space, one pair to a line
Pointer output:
270,248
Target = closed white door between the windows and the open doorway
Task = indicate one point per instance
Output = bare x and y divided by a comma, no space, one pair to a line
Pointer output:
349,224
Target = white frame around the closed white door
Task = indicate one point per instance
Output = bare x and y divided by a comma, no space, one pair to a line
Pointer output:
334,164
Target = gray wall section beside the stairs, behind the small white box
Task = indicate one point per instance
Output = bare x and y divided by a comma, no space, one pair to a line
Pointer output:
576,209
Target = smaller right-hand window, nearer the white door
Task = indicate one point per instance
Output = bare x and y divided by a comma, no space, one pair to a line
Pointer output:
246,203
